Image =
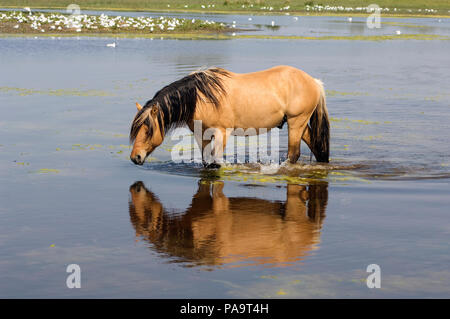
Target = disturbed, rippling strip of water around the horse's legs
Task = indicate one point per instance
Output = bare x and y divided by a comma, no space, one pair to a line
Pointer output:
301,173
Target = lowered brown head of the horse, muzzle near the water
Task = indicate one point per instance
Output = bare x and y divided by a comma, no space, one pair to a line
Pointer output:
145,133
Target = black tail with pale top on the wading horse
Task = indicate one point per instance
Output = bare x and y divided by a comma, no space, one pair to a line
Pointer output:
320,128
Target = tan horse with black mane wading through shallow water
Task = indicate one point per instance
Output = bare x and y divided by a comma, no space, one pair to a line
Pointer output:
222,99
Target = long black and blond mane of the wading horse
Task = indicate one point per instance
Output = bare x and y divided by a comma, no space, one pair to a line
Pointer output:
177,101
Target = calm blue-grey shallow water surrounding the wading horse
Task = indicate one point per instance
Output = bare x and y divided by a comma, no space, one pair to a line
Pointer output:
69,193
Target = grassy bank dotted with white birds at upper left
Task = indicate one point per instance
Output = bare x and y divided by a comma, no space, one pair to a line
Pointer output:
56,23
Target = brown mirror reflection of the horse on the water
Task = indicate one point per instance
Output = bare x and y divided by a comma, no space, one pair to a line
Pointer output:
220,231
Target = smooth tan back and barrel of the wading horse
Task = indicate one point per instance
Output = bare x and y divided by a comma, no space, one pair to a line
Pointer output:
262,99
